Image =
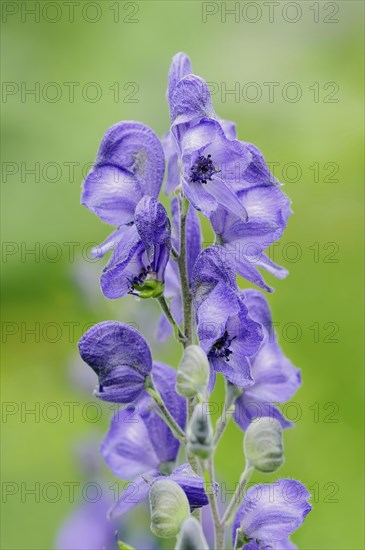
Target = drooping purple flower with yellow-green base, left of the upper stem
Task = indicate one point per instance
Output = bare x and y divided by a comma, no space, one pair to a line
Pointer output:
138,264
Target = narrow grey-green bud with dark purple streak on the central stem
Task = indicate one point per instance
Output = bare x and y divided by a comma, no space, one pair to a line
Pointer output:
200,433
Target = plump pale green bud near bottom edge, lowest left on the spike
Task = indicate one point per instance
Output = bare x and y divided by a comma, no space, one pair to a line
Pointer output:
169,508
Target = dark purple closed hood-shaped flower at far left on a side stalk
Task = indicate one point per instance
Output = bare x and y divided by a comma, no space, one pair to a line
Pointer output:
120,357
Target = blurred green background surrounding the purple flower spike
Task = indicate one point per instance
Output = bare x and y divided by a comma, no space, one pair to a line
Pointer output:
126,53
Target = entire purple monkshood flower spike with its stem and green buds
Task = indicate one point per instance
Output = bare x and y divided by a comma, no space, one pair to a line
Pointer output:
162,439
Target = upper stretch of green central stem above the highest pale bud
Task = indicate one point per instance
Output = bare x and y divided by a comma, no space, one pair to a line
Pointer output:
182,264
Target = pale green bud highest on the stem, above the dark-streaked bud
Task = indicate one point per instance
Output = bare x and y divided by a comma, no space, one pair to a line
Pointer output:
193,372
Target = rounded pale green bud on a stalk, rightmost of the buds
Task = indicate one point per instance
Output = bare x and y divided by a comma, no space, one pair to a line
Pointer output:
263,445
